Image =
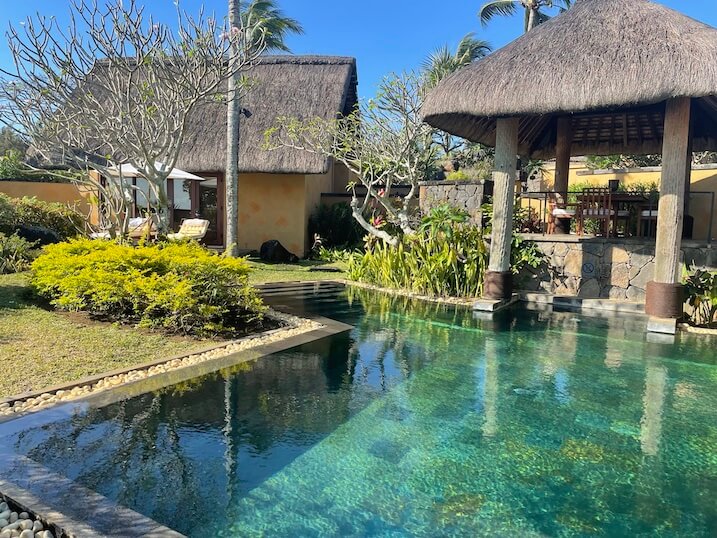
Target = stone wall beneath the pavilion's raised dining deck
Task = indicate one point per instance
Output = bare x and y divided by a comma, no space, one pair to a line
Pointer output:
598,268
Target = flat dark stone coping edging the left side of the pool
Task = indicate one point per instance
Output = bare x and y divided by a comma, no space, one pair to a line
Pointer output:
42,492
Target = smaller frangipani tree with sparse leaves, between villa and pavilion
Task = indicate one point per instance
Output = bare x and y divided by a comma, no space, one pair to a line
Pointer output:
385,144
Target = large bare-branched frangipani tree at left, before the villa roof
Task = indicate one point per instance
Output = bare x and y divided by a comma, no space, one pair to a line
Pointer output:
117,86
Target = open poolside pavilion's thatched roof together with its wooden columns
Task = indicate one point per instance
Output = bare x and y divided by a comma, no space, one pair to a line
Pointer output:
605,77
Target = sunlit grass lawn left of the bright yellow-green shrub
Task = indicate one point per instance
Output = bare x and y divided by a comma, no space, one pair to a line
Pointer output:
40,348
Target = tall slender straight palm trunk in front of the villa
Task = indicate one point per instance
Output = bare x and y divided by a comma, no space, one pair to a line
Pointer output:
233,118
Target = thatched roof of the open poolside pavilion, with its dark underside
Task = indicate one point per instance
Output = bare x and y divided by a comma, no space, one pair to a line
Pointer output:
610,64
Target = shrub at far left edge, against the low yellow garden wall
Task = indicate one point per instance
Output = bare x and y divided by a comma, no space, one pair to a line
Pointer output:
31,212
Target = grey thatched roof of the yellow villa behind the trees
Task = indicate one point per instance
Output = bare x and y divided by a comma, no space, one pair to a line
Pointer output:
304,87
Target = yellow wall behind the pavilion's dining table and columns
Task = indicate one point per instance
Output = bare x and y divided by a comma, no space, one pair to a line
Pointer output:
704,179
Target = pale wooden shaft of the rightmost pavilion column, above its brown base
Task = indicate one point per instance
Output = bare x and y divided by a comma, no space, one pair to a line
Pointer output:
675,159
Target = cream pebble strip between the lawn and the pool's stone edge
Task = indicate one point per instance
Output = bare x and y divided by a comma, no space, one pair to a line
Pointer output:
294,326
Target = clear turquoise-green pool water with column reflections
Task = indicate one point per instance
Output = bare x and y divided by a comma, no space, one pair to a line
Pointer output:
421,421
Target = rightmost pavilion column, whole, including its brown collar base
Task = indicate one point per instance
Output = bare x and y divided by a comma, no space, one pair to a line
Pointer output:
664,295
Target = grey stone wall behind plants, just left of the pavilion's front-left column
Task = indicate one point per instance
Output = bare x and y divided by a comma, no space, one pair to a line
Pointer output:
468,195
